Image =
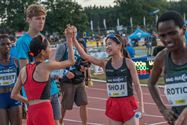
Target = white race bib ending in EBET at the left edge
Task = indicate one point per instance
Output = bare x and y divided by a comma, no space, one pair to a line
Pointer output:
7,79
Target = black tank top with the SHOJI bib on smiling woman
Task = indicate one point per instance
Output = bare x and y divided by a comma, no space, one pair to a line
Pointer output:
119,81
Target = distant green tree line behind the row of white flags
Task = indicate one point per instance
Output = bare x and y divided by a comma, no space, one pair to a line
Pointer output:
123,10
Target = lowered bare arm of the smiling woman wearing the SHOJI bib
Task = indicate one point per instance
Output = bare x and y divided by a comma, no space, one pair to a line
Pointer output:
131,66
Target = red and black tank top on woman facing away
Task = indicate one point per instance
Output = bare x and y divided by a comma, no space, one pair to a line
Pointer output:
34,89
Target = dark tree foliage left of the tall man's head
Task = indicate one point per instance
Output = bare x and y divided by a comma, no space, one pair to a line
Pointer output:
12,13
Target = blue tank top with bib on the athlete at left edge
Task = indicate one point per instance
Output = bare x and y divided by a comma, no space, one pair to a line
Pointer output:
8,74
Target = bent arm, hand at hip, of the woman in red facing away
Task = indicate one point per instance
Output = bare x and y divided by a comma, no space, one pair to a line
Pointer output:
15,94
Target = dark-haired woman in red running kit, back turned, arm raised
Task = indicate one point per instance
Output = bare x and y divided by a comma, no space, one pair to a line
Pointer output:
35,79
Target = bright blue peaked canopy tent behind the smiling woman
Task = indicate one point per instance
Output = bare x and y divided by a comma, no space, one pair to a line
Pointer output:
139,34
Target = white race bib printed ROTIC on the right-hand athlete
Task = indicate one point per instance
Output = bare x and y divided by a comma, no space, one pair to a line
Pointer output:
176,94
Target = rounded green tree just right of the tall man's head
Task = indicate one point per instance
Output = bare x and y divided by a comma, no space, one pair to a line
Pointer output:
62,13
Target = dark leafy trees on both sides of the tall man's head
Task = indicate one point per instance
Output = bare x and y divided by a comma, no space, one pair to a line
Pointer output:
60,13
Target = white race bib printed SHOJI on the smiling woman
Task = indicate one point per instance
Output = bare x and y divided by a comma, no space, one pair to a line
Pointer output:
117,89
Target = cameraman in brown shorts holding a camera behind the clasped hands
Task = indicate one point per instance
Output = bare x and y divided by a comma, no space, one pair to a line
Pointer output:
72,84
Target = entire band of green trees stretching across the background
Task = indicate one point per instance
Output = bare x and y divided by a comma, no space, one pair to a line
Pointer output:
62,12
